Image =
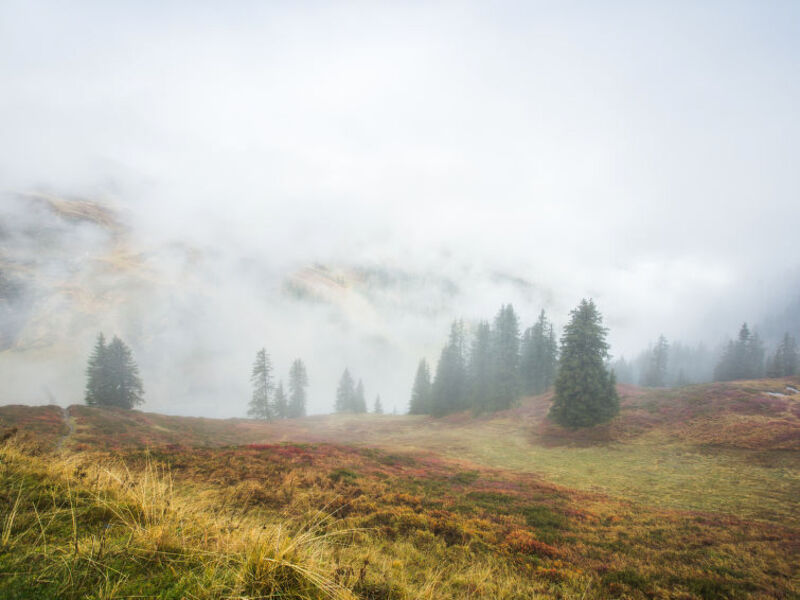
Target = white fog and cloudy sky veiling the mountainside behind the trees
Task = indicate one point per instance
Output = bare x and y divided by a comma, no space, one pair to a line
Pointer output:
431,160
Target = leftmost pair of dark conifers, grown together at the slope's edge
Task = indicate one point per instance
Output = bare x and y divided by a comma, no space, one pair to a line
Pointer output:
112,375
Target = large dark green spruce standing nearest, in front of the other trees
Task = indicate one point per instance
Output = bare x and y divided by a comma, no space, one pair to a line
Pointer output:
585,392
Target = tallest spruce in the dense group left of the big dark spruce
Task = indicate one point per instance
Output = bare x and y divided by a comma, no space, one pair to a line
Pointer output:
505,384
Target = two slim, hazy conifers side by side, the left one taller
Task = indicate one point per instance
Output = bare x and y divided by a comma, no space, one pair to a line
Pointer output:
269,401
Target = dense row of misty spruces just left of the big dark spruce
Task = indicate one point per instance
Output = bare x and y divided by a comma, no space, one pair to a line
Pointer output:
490,370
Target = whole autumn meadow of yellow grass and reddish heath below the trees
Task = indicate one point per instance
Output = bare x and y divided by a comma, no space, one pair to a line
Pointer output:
689,493
